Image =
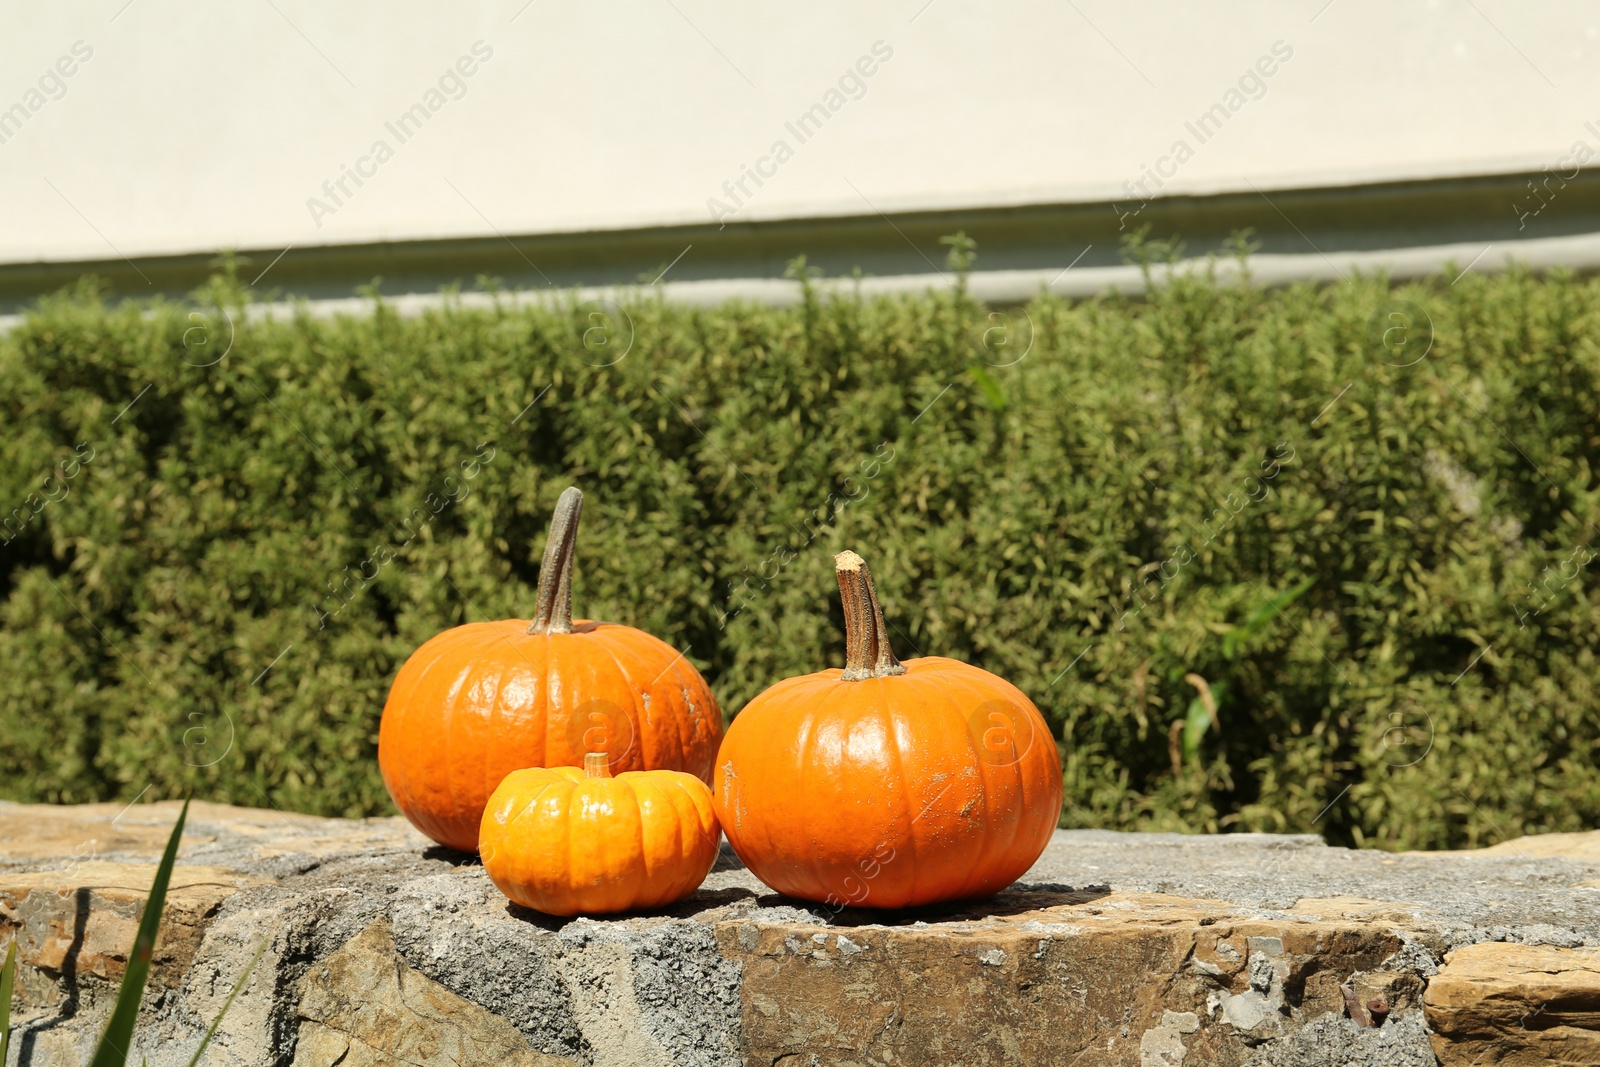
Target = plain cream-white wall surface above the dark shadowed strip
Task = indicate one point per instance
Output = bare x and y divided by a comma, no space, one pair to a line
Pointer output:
199,127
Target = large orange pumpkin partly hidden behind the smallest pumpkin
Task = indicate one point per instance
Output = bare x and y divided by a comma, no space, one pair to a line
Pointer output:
489,698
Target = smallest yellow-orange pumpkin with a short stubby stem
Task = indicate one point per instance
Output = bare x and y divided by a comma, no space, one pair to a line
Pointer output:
580,842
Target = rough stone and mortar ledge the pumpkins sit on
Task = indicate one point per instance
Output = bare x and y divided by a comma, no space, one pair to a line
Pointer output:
1140,949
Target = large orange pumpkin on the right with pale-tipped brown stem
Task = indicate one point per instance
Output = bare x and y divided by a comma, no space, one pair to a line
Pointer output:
889,785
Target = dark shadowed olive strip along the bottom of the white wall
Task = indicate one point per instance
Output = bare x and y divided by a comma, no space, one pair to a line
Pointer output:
1316,222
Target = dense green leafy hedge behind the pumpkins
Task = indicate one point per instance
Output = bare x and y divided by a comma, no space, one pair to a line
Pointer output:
1092,500
